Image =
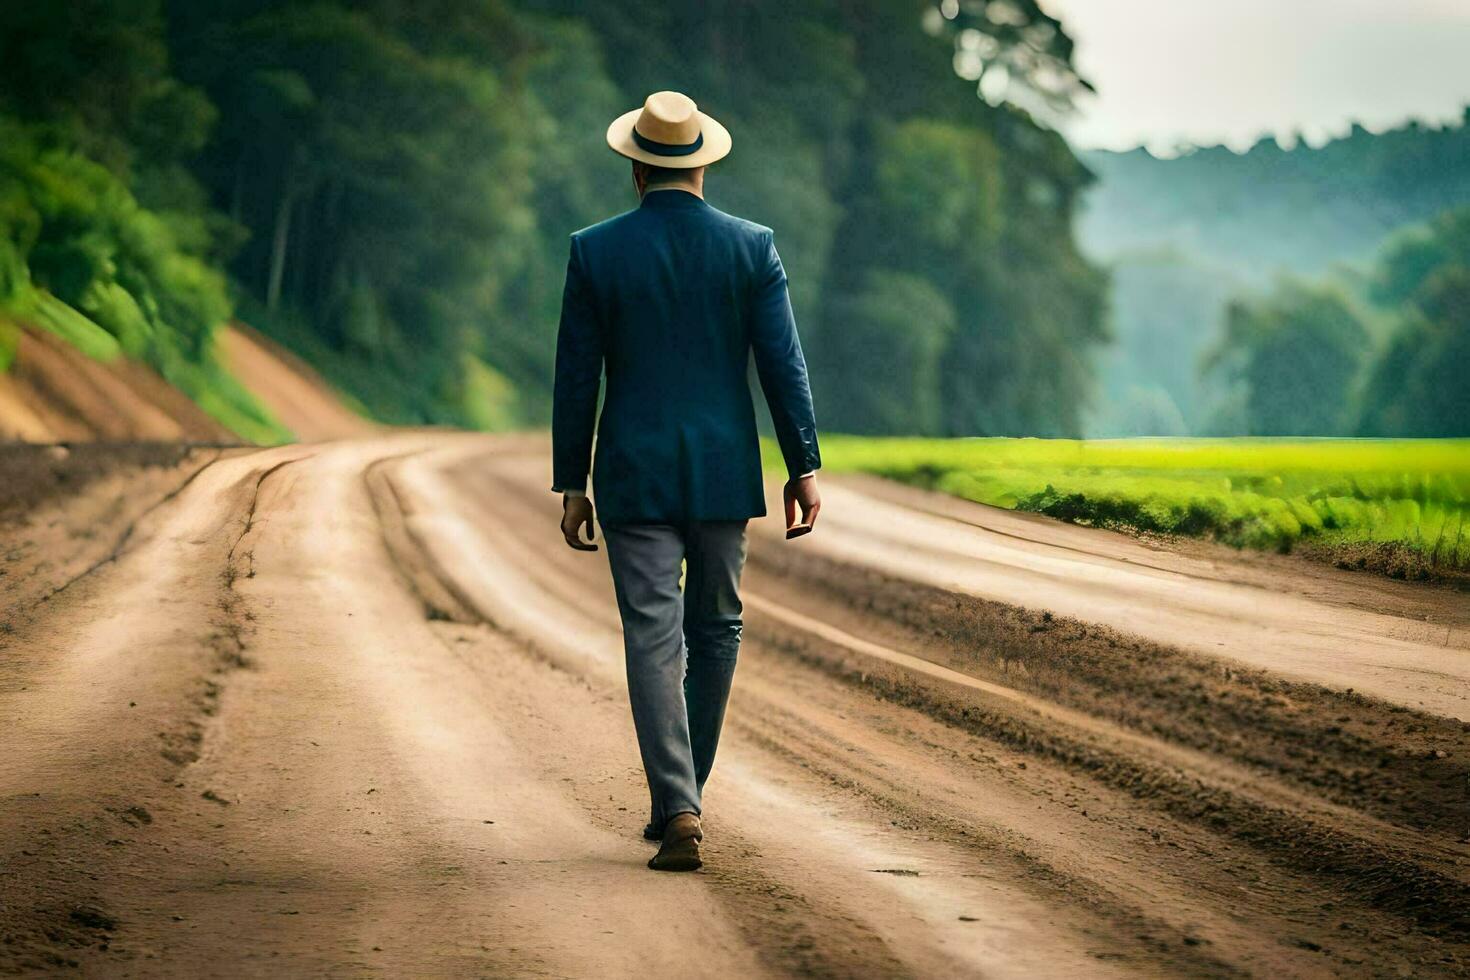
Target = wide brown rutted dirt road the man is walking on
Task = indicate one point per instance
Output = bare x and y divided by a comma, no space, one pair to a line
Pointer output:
352,709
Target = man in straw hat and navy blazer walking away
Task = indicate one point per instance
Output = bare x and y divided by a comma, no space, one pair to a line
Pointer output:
671,302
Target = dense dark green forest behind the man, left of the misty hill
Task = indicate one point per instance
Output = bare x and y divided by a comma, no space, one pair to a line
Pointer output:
389,186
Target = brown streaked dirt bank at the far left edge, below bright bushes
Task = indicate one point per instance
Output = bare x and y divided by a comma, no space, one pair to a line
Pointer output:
54,393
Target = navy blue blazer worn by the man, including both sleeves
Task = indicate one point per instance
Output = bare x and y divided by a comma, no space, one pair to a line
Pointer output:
670,302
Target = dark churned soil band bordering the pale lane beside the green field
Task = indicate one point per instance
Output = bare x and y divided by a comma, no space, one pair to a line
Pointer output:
1408,768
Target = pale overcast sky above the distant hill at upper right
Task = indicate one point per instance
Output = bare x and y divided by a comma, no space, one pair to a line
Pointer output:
1230,71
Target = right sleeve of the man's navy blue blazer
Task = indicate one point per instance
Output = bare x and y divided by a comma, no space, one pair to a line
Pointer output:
781,367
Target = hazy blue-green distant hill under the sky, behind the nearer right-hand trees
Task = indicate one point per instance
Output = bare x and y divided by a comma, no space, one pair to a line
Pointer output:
1187,234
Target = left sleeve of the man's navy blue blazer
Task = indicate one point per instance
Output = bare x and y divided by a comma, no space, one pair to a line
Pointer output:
578,377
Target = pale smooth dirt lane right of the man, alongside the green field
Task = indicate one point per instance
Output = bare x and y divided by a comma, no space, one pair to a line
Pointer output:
1221,608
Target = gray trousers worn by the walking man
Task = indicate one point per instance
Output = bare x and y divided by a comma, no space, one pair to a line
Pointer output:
680,649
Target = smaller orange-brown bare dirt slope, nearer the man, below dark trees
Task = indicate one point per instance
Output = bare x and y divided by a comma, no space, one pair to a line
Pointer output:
289,387
